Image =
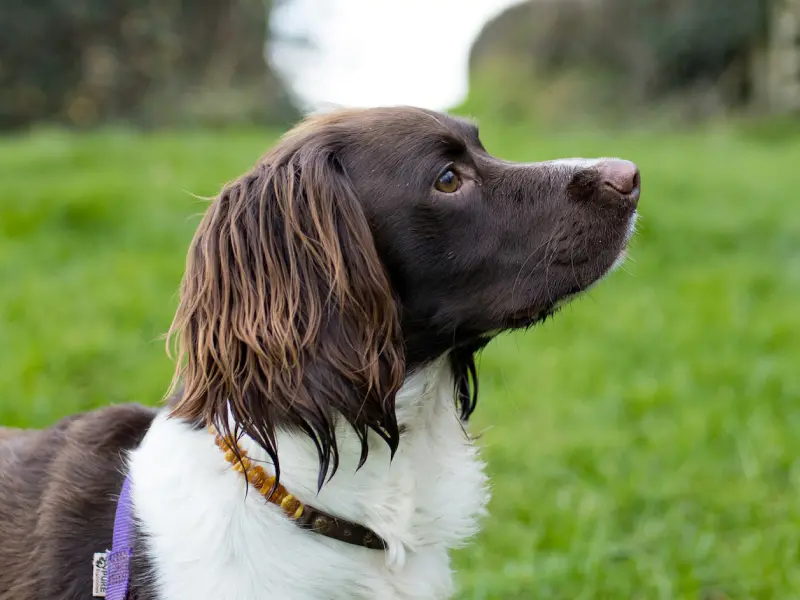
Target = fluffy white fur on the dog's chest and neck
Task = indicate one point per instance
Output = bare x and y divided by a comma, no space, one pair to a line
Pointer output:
208,540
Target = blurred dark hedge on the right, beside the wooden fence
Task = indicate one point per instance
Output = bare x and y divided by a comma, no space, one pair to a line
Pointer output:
646,51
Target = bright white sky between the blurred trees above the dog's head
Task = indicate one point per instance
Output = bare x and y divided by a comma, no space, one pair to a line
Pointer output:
379,52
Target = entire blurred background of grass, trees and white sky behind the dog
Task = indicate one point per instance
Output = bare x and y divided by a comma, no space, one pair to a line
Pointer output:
645,443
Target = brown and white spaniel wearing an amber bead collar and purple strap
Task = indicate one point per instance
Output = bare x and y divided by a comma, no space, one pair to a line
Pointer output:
314,442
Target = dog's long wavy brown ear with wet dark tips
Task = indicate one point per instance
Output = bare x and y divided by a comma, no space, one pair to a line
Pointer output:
286,317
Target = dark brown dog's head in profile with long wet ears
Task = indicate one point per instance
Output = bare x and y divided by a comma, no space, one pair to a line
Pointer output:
366,244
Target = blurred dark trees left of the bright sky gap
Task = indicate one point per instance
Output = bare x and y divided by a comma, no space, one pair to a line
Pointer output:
150,62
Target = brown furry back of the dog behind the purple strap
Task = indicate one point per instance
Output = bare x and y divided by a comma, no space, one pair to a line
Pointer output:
58,491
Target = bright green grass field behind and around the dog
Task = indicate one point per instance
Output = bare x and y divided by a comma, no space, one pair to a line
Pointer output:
643,445
